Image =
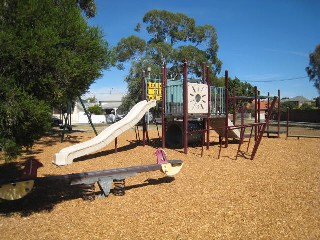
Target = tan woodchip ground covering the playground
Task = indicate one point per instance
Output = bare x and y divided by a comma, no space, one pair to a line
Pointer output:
274,196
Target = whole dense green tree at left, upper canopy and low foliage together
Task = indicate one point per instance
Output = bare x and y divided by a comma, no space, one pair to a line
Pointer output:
48,55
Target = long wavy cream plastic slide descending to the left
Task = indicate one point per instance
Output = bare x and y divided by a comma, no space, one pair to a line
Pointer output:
66,155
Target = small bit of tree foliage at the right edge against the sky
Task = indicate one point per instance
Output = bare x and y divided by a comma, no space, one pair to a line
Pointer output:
313,69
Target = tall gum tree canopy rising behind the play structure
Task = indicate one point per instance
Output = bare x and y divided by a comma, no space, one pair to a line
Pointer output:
171,38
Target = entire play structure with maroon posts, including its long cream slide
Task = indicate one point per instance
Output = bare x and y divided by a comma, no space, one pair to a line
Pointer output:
191,108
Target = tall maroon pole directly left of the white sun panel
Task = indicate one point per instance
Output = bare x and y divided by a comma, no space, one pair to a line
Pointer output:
185,107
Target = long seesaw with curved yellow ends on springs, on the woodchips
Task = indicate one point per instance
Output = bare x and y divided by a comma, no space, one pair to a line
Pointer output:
16,189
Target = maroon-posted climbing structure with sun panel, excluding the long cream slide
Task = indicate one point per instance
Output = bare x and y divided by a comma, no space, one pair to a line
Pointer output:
191,108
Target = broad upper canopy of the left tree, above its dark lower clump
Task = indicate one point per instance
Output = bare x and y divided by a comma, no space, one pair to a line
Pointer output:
49,49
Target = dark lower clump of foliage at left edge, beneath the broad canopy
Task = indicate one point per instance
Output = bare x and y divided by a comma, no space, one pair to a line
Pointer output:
24,119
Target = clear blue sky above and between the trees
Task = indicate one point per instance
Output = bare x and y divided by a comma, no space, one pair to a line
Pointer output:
266,43
